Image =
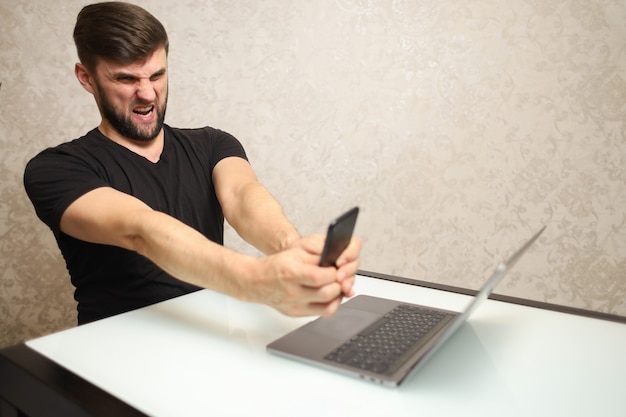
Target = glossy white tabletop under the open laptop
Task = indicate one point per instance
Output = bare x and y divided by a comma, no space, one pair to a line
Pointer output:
204,354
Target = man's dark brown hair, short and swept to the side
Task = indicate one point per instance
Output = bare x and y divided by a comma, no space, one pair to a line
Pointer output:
118,32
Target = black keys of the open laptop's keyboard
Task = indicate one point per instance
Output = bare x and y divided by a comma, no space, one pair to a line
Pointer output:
384,346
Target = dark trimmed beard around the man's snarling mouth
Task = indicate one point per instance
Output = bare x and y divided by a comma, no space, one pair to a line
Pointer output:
123,122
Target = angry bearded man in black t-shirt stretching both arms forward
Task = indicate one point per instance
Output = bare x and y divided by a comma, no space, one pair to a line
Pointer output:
137,207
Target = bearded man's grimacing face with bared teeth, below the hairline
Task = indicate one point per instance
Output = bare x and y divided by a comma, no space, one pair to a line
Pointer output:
133,98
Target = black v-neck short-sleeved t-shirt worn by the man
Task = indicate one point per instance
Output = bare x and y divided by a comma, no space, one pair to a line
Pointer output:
108,279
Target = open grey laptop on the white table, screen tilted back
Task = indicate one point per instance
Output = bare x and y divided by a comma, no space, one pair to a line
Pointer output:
383,340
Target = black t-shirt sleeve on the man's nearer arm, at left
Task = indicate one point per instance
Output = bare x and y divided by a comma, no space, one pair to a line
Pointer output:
53,180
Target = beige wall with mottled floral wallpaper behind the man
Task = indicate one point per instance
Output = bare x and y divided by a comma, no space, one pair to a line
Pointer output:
459,127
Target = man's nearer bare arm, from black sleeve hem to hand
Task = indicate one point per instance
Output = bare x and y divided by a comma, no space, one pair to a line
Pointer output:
289,281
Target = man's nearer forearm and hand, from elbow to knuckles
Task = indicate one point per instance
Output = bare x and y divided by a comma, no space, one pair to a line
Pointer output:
289,281
